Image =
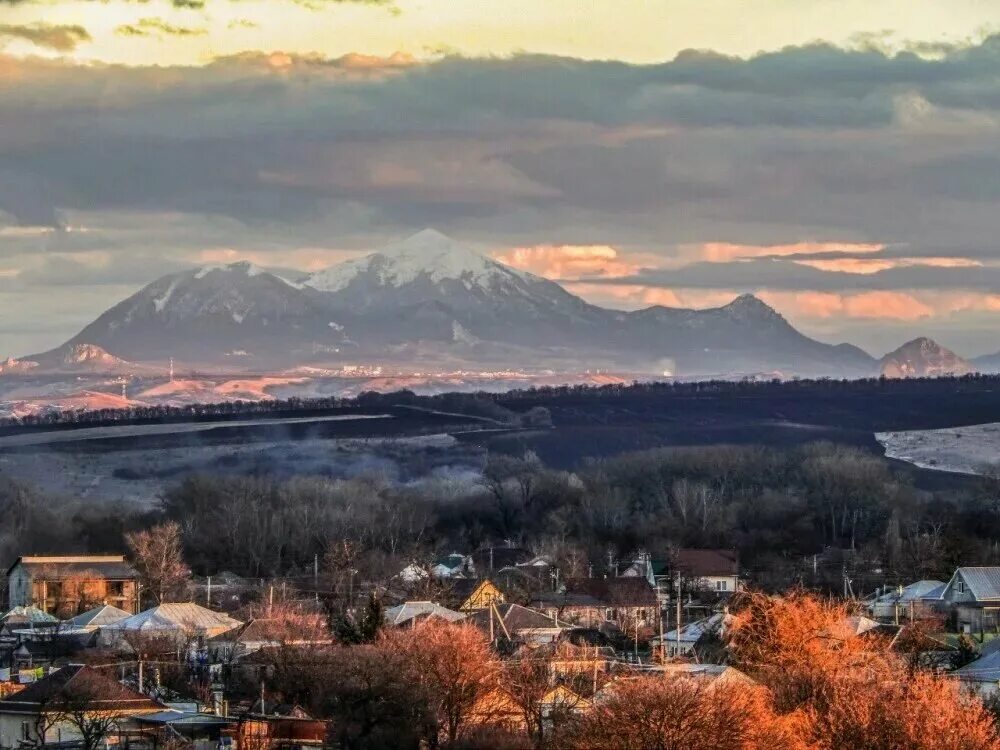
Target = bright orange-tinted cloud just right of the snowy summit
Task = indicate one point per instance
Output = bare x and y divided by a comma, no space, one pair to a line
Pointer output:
575,261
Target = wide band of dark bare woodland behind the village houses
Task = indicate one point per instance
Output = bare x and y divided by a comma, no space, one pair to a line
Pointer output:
800,515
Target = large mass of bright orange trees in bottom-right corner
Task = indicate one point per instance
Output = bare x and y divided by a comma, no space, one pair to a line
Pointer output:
849,691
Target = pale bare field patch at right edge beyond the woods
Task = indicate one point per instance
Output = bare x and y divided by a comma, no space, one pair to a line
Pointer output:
965,450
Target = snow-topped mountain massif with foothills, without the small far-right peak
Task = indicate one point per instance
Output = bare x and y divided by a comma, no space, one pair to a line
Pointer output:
430,300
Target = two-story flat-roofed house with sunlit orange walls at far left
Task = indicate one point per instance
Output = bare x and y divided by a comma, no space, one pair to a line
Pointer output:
69,584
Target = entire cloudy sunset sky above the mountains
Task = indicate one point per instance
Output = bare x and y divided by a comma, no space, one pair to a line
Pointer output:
838,158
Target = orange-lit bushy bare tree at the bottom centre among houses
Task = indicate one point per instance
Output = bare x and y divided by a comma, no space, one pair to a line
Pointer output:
452,662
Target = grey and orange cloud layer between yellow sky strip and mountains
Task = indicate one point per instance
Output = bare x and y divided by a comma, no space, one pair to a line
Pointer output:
848,187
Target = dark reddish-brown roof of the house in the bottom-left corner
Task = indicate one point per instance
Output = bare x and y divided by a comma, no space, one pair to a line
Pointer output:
78,681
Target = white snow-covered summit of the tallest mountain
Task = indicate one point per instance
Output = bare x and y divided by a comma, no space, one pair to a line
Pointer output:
426,254
